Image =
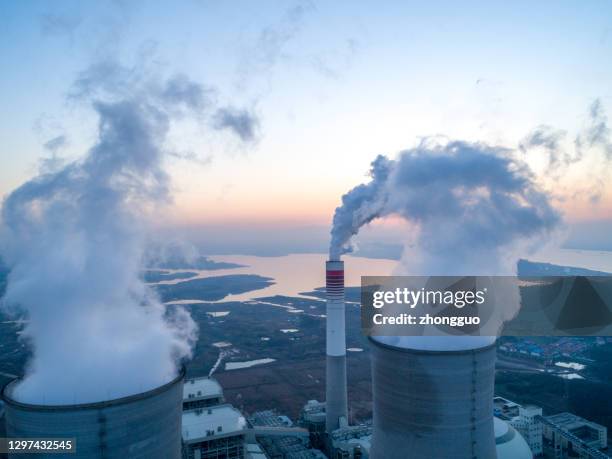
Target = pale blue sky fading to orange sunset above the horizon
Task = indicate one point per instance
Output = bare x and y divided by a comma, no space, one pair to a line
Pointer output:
333,84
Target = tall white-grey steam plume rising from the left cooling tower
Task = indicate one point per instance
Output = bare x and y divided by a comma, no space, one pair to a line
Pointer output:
74,240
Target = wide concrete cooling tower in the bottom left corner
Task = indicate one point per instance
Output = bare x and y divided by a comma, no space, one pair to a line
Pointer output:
142,426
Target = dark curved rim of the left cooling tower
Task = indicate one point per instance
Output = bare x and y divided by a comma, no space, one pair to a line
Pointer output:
4,396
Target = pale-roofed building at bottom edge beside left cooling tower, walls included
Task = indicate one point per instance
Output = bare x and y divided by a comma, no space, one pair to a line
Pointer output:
214,432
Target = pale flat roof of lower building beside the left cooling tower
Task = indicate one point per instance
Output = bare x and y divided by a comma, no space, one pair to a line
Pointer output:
216,421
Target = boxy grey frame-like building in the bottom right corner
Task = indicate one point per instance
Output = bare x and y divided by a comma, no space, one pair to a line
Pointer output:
566,434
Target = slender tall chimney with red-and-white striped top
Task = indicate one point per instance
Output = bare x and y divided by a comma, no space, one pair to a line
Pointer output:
335,387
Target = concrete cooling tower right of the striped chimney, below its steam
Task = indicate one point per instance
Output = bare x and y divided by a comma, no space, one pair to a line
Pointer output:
432,404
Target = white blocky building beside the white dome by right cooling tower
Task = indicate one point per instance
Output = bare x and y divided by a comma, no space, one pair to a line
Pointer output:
525,419
